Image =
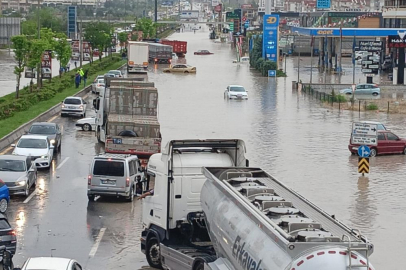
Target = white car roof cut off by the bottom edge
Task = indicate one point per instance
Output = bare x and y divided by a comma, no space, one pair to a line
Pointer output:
51,263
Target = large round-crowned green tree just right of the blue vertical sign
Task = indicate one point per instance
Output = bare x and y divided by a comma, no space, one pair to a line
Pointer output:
99,35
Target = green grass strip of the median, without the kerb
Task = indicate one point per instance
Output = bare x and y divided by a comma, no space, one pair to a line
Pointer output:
22,117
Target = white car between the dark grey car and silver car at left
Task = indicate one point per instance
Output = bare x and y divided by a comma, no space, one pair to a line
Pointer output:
38,147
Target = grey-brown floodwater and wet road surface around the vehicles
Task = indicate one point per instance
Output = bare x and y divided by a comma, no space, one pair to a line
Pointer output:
289,135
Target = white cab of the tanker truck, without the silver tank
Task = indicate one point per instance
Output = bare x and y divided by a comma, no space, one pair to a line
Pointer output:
173,216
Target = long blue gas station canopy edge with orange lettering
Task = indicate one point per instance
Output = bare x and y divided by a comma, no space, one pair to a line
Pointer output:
348,32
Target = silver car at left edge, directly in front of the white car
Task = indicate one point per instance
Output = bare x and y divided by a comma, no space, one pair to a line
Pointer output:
19,173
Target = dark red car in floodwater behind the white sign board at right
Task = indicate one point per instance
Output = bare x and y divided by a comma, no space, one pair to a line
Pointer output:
388,143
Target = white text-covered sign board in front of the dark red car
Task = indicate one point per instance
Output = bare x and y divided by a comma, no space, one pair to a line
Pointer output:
364,134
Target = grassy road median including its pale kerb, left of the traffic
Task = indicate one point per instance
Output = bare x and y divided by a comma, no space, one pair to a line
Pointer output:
11,128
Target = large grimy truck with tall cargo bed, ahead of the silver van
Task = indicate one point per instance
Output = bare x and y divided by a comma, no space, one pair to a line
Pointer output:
127,117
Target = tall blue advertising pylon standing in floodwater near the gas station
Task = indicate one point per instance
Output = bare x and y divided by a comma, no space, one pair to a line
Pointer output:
270,38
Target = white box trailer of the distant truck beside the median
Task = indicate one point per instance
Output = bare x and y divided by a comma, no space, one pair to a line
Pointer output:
138,55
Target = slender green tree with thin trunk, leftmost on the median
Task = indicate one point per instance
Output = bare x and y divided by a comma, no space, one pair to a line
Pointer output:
20,46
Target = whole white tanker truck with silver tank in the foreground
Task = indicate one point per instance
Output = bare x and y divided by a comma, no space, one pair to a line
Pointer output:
227,216
